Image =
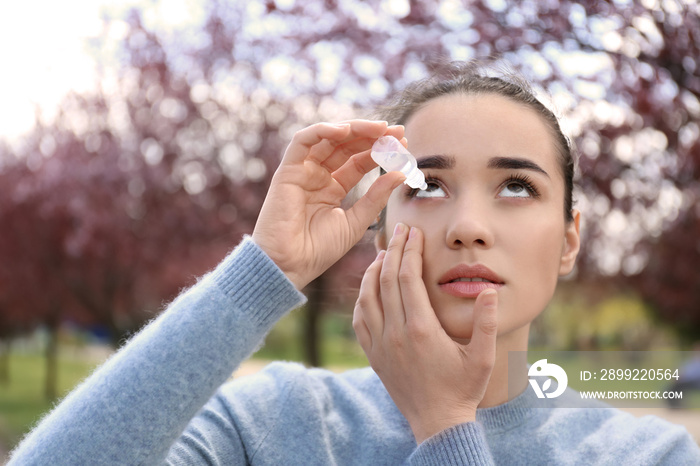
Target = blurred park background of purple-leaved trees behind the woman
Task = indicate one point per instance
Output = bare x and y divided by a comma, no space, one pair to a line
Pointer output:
130,170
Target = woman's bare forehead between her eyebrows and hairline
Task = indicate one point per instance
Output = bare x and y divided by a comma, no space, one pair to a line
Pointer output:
480,125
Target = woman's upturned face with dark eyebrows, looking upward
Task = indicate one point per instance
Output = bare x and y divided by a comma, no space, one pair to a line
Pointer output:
493,209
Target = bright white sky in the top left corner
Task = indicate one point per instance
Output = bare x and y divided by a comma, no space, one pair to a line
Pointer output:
43,52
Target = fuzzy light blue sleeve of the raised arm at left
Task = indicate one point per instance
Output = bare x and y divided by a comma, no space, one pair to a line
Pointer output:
134,407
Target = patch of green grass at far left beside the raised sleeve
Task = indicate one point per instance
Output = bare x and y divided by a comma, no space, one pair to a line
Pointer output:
22,401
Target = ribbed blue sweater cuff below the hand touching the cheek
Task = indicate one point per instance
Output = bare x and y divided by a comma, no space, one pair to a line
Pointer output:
459,445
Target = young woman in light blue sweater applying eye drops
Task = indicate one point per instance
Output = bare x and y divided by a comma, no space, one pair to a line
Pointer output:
463,269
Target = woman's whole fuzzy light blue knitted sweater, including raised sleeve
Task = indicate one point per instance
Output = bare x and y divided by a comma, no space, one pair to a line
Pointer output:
160,399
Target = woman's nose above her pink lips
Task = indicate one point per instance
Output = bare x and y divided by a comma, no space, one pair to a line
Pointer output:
468,226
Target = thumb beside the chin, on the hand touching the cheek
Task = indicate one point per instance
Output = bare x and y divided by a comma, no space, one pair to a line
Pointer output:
482,347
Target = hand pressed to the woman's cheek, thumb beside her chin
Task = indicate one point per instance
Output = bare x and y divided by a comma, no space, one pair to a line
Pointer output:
435,382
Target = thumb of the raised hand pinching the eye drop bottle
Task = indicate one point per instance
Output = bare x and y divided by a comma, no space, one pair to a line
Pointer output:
367,208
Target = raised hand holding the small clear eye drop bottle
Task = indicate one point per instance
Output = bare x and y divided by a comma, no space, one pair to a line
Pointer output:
302,226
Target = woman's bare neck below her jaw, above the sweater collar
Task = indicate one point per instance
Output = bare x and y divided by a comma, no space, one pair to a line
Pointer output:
497,389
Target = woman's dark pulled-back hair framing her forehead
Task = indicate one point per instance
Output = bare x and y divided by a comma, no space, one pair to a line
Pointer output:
477,78
